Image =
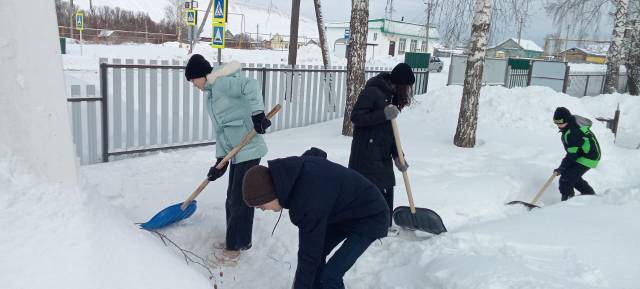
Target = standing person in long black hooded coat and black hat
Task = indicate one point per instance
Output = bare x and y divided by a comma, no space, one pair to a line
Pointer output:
373,148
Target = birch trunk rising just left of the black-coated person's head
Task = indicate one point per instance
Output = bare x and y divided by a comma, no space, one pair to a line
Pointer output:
356,58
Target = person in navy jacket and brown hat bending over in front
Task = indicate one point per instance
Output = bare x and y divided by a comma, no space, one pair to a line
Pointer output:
329,204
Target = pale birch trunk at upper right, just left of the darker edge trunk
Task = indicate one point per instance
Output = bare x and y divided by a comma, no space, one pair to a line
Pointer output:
614,56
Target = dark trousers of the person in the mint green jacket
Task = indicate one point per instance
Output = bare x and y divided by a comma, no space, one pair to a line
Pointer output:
239,215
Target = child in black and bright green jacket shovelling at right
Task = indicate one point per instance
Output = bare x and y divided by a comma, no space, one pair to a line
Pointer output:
583,152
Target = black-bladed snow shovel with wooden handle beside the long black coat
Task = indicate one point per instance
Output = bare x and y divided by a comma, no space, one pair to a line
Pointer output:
413,218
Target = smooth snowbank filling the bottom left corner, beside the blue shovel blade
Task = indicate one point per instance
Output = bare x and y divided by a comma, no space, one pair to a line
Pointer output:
56,238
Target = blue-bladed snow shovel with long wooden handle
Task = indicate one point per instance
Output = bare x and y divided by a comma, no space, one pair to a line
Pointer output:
185,209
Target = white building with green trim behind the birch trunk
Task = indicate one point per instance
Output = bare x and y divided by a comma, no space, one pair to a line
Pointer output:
385,37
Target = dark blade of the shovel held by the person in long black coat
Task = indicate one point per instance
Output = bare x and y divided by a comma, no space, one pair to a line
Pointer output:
423,220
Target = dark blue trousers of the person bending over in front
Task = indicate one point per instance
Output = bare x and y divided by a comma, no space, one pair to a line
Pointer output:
329,274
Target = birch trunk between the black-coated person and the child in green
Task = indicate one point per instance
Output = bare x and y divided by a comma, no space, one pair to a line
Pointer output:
468,117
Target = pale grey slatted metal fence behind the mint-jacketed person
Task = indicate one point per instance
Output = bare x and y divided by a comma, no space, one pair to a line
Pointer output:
144,106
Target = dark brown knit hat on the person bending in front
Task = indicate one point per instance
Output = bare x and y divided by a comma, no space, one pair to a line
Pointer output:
258,187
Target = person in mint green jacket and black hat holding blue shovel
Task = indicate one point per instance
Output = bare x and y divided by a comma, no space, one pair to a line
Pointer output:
235,106
